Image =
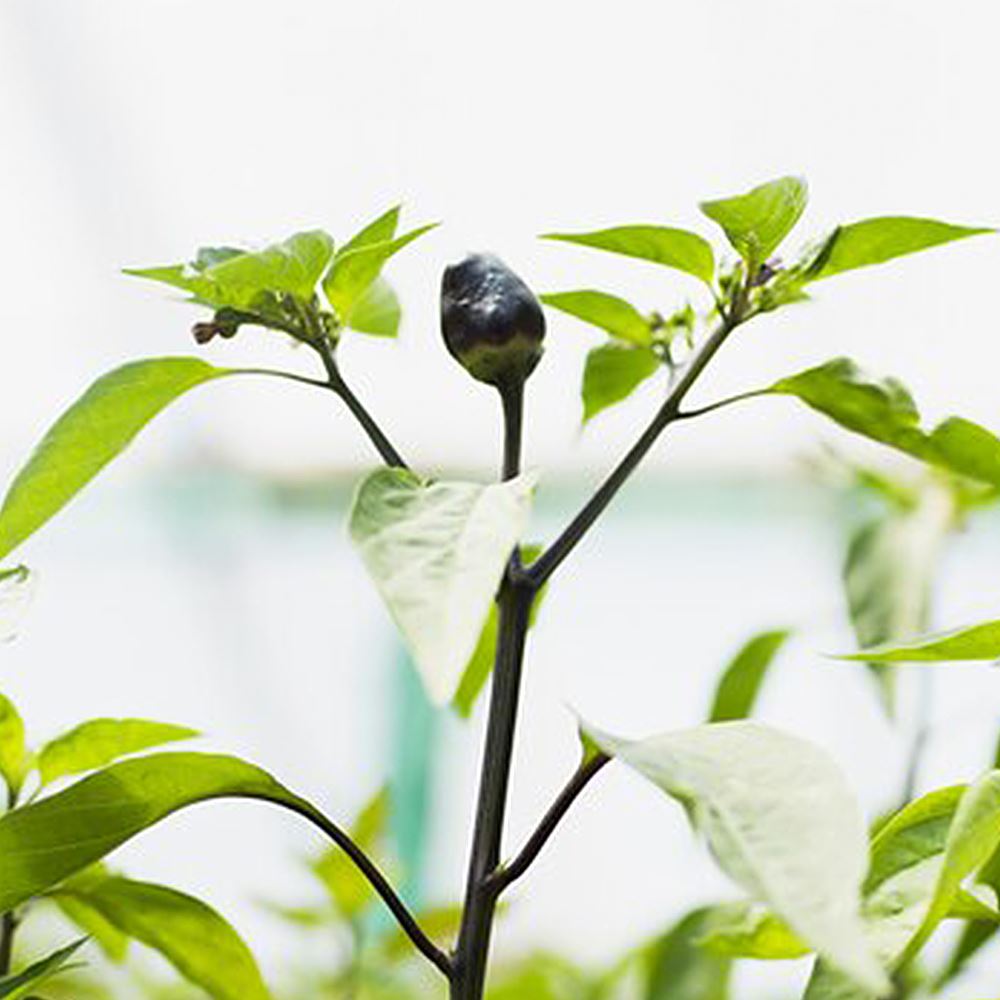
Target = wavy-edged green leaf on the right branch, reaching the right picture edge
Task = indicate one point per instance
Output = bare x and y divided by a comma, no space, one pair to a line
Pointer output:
885,412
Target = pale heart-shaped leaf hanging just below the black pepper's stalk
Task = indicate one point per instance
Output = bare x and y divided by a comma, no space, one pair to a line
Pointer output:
437,553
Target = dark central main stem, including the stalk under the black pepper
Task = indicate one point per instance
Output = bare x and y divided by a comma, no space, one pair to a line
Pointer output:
514,605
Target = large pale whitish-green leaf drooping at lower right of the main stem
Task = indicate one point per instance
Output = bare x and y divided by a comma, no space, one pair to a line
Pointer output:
780,821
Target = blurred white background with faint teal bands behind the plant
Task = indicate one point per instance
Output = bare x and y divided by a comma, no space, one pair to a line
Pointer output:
207,578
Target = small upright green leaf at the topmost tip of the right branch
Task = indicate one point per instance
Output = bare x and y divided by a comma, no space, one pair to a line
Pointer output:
756,222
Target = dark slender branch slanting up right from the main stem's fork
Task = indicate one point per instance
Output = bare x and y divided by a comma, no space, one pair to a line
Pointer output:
549,561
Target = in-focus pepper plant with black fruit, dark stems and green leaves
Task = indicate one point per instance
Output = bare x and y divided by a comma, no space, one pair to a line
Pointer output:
450,561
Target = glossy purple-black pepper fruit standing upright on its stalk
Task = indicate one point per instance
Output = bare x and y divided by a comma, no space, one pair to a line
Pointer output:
492,323
